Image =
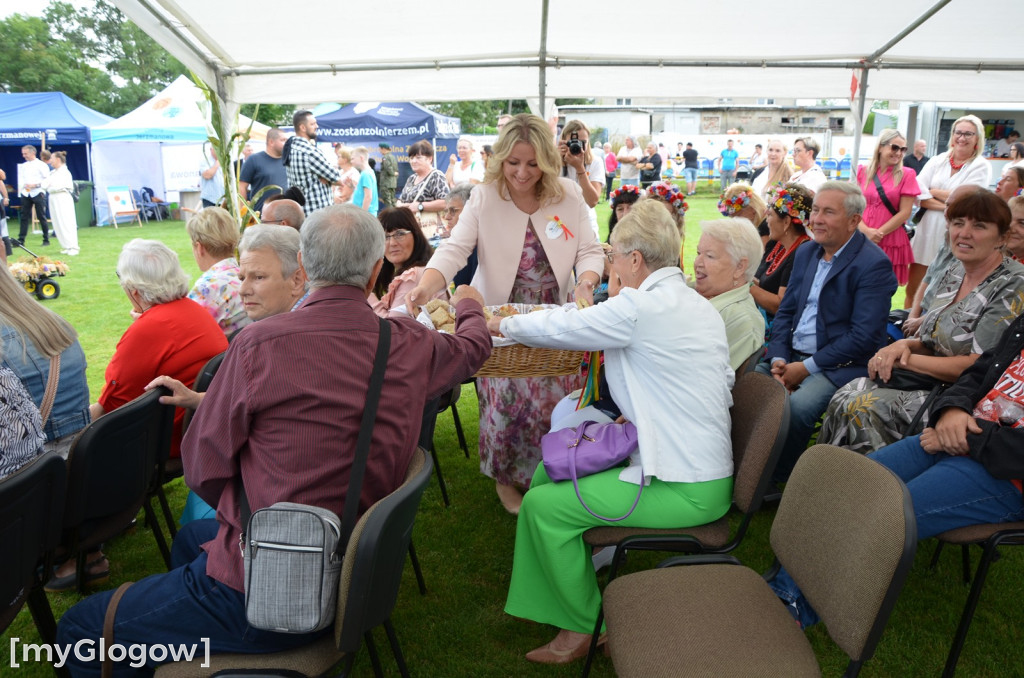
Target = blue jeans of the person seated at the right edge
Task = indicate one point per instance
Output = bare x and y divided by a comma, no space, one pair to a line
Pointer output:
950,492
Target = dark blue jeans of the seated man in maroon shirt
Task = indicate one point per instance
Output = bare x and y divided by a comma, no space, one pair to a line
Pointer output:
181,607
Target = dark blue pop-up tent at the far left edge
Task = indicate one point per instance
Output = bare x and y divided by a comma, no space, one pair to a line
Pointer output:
31,118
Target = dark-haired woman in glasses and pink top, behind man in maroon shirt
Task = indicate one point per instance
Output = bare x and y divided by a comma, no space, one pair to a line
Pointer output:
406,253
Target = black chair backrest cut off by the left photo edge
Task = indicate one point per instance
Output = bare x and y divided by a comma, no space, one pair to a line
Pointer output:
31,512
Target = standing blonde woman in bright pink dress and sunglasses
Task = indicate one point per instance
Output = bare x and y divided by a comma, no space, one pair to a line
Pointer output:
889,209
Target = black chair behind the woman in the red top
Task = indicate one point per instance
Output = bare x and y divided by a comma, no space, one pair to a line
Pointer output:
112,469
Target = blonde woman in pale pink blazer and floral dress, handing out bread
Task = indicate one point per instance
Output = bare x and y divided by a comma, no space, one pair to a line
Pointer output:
533,236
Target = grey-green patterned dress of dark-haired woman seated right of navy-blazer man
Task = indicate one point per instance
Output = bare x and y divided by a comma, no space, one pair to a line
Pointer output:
865,417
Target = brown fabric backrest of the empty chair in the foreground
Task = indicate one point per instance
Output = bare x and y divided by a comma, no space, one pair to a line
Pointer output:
846,533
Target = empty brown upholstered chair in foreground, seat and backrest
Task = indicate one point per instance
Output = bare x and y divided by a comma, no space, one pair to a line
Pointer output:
723,620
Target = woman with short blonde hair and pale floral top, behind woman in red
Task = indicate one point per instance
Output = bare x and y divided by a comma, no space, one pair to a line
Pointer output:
216,236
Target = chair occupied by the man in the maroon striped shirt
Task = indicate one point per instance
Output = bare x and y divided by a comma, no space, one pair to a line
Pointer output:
370,580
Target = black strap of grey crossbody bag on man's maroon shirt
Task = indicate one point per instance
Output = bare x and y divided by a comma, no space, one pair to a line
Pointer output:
362,445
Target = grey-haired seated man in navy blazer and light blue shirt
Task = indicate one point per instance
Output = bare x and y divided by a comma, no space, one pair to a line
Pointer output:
833,318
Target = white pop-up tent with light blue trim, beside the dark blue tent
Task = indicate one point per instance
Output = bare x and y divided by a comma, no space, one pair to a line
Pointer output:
159,145
